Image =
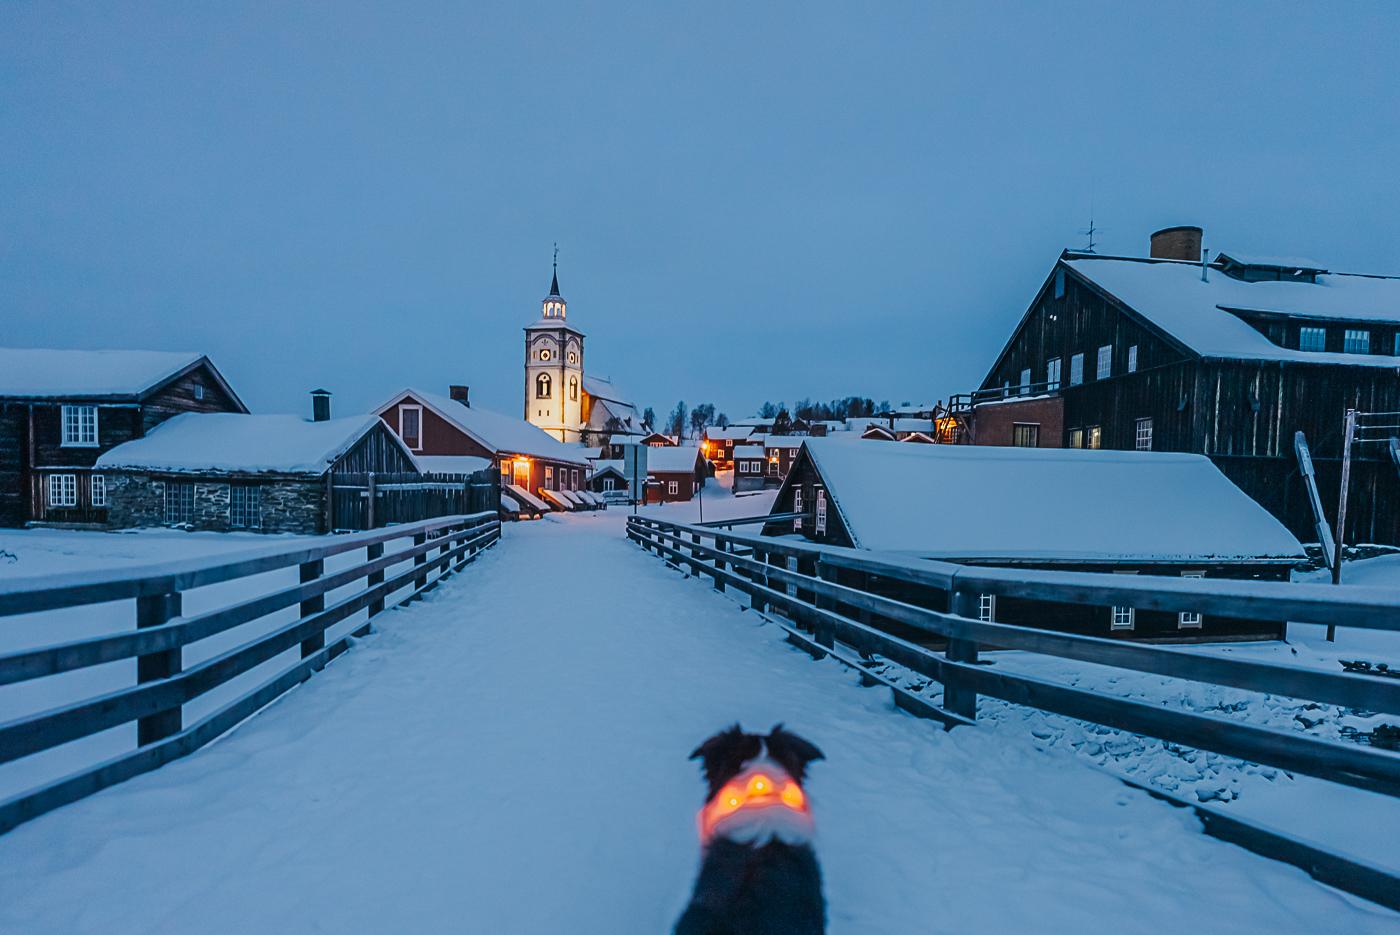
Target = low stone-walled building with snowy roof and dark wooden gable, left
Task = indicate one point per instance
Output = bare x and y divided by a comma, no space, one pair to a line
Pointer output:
251,474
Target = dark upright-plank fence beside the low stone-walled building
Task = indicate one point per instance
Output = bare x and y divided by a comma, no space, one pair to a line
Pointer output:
370,502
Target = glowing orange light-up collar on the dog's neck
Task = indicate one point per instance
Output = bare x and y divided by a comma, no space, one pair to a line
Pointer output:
758,803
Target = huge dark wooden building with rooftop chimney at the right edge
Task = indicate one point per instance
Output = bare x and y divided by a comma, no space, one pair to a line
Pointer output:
1227,360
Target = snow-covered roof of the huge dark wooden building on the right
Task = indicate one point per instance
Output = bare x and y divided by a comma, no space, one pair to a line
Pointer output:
1172,296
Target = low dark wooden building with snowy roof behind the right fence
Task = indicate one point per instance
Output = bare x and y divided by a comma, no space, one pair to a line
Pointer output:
1122,513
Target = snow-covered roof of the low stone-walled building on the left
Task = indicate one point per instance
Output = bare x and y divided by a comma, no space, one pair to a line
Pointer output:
239,443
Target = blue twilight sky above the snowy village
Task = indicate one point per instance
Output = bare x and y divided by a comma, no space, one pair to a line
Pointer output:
752,201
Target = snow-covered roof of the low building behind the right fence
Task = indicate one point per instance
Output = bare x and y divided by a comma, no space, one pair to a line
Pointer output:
967,502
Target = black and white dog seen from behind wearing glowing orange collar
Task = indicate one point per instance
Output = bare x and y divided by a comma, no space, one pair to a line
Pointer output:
758,873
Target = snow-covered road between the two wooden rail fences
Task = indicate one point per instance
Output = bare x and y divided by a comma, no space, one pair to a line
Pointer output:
510,757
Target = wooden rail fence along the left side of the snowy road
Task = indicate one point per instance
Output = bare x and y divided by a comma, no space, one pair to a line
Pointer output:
164,687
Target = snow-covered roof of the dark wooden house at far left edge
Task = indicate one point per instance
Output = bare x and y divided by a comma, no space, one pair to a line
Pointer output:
47,373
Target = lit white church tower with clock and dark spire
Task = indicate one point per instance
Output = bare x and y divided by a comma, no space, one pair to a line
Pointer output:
555,369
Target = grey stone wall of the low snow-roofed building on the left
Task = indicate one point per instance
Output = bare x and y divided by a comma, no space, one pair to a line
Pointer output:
295,506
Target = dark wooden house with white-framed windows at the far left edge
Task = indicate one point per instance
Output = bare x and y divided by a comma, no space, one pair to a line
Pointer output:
62,409
